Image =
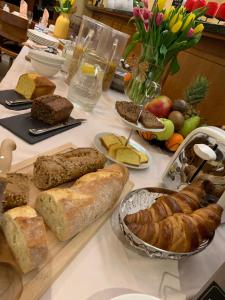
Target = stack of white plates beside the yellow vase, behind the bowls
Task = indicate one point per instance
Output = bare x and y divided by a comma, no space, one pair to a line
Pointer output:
42,38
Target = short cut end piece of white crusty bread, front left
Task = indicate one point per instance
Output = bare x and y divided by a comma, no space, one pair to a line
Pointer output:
25,233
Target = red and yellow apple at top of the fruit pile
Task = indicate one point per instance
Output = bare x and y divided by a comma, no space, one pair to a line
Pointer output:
160,106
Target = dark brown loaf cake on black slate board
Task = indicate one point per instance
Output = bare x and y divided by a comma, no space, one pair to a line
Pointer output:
51,109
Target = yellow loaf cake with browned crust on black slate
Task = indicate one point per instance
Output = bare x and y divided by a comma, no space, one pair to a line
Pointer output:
32,85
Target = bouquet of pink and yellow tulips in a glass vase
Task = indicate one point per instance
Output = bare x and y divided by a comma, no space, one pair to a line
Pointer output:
162,33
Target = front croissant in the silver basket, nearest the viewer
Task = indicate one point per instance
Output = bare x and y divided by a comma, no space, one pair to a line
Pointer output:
180,232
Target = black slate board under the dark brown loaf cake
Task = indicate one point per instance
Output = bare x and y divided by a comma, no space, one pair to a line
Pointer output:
20,125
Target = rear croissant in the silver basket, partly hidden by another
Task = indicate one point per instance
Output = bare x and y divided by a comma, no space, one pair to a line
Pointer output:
185,201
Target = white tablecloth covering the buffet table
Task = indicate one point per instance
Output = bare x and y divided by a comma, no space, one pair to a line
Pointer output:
107,266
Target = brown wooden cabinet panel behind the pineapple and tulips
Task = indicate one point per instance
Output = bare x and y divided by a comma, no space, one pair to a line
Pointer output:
207,58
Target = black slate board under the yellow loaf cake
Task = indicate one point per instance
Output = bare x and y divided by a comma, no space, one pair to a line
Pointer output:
12,95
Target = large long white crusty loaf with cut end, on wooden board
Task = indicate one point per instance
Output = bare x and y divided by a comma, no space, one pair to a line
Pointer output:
68,211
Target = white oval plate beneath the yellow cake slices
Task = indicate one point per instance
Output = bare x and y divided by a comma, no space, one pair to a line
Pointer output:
98,145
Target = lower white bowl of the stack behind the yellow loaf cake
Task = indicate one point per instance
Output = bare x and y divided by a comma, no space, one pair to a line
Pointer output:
47,70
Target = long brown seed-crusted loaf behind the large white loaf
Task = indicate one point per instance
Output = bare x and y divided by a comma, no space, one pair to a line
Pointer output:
51,171
